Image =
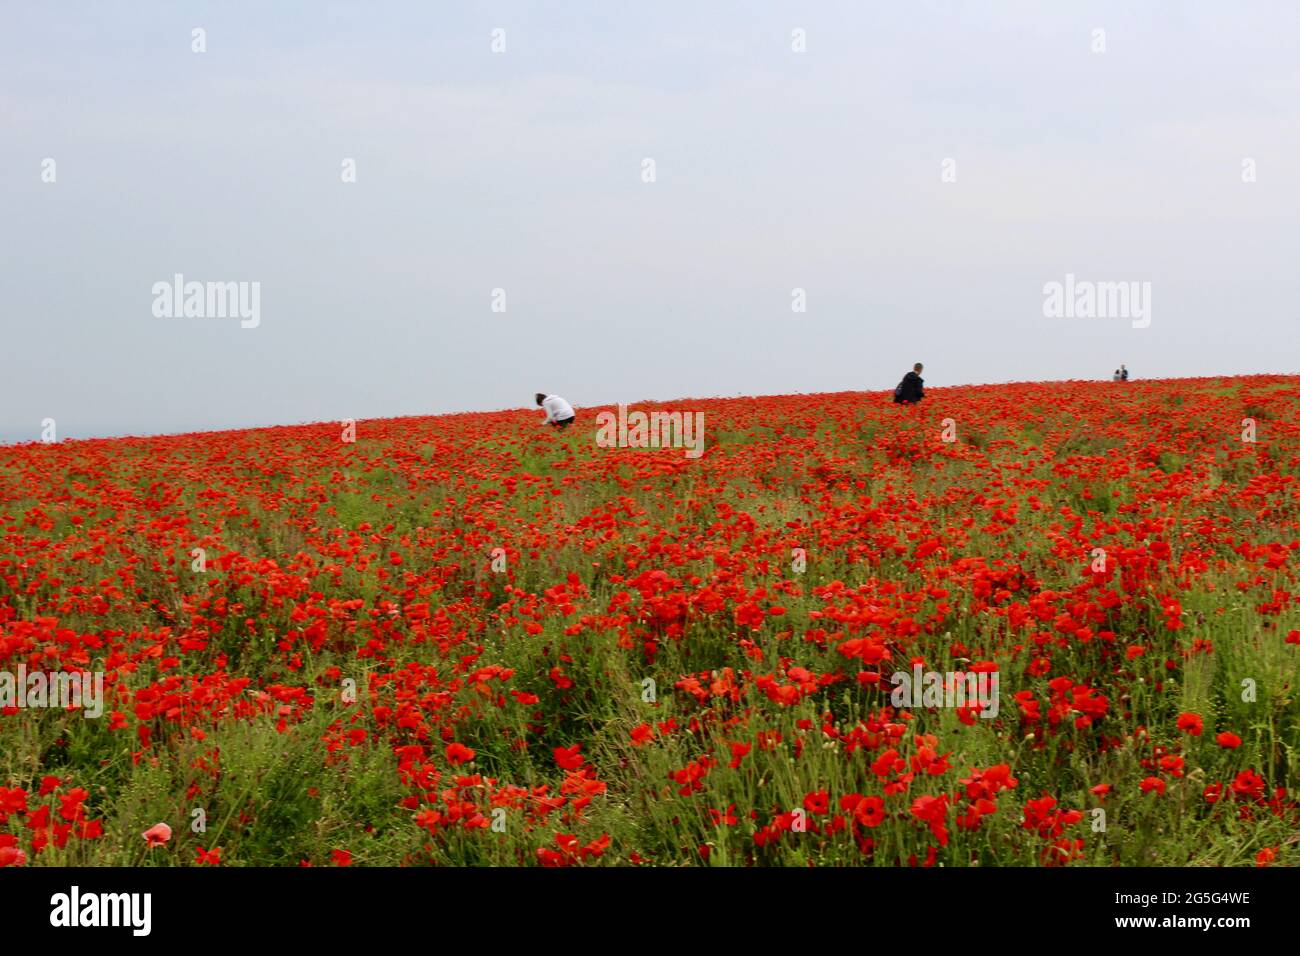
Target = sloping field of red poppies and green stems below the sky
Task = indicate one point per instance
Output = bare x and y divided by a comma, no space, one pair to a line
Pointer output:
469,641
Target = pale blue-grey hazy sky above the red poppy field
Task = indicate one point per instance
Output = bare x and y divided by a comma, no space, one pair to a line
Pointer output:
523,171
